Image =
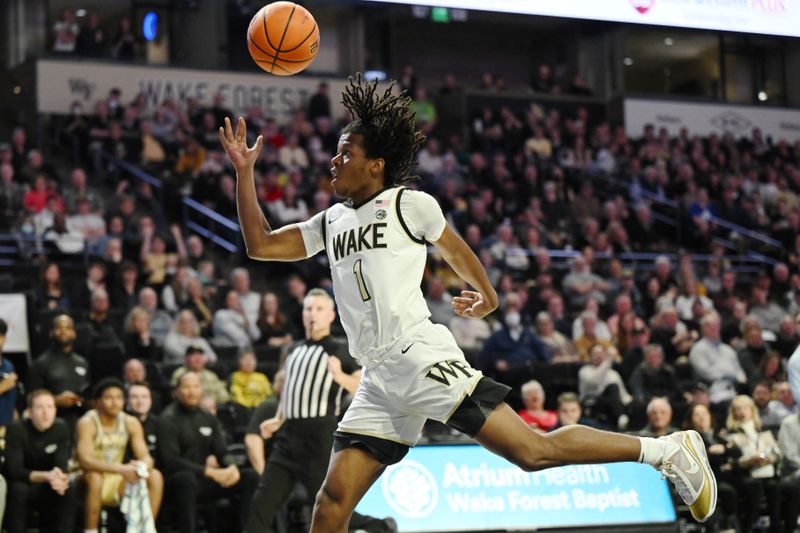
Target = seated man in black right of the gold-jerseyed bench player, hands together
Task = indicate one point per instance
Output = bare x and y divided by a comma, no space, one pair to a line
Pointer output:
193,452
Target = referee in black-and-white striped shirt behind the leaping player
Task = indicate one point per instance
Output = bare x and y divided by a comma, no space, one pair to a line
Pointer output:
317,371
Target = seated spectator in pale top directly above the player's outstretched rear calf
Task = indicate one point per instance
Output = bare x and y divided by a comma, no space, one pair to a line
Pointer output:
603,386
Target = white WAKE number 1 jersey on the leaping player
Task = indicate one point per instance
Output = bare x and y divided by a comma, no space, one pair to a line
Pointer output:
377,260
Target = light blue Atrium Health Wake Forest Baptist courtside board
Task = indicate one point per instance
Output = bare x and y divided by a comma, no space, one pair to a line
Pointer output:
466,488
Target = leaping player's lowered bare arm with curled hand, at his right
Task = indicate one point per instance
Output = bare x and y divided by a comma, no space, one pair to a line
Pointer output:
466,264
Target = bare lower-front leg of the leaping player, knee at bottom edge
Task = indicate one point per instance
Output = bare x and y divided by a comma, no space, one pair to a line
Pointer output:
351,473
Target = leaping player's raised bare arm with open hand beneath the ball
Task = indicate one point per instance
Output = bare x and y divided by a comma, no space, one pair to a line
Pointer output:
261,241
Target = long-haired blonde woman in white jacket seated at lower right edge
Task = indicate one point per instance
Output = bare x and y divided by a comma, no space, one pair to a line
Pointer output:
759,455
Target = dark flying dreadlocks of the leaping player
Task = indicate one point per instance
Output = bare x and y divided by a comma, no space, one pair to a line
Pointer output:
387,126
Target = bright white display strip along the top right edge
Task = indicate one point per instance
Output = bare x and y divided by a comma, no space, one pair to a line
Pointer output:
772,17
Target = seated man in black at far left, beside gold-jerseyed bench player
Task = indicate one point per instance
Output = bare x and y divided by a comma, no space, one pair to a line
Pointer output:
36,457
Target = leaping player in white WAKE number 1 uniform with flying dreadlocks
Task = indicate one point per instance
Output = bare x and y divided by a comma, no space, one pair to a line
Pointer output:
413,370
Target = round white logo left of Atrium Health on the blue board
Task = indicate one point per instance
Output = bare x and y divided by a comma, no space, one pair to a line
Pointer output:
410,489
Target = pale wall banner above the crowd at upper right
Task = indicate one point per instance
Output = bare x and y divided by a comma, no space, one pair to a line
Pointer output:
705,119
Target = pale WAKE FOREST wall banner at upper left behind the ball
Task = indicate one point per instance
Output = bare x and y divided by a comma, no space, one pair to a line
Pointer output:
59,83
